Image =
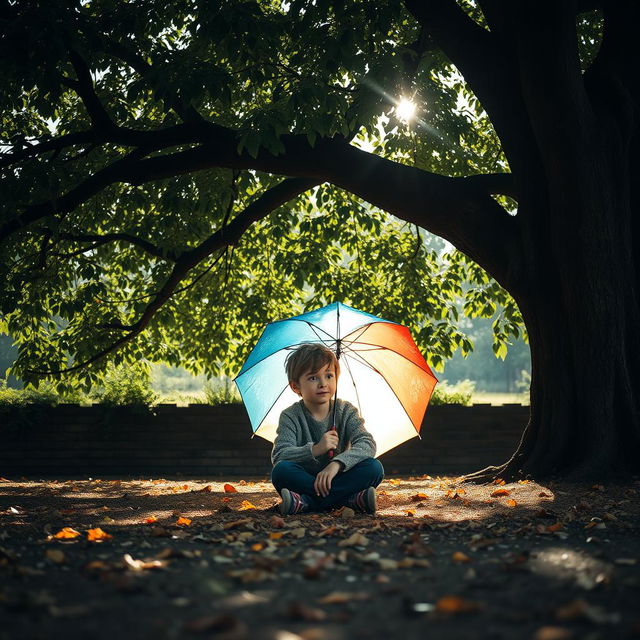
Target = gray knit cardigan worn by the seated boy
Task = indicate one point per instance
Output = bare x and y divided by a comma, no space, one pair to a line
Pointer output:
298,431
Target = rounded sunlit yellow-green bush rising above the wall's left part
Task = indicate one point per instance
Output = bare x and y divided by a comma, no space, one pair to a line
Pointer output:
128,385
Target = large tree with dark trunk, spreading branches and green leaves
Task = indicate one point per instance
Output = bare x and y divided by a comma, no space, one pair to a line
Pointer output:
175,173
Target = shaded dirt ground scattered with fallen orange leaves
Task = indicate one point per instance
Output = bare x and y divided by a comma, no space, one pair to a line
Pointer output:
190,558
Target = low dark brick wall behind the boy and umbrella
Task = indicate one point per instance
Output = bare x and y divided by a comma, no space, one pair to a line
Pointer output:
201,440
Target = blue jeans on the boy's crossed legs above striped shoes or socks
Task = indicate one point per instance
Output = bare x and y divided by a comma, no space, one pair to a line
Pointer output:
293,476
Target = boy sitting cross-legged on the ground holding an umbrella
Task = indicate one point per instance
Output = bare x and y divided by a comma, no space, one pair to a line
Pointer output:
304,474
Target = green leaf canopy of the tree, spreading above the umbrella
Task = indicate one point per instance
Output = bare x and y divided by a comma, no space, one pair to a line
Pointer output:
144,208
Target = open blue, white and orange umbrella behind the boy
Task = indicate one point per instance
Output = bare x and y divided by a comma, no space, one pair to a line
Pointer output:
382,372
